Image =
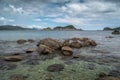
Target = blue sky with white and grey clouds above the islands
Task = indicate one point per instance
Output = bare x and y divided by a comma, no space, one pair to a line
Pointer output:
85,14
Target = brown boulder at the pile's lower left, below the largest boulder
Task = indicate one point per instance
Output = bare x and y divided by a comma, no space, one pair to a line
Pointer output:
43,49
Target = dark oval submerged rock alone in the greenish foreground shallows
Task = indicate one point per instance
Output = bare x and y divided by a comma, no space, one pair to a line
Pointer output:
55,68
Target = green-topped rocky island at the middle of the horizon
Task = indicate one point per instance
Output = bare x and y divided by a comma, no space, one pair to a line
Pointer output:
60,28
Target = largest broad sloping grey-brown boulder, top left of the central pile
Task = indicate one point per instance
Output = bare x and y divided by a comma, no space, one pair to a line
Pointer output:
52,43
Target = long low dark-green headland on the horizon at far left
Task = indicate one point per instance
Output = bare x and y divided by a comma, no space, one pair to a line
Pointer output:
10,27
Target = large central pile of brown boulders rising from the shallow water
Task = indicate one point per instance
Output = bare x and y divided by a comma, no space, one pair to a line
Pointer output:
49,45
